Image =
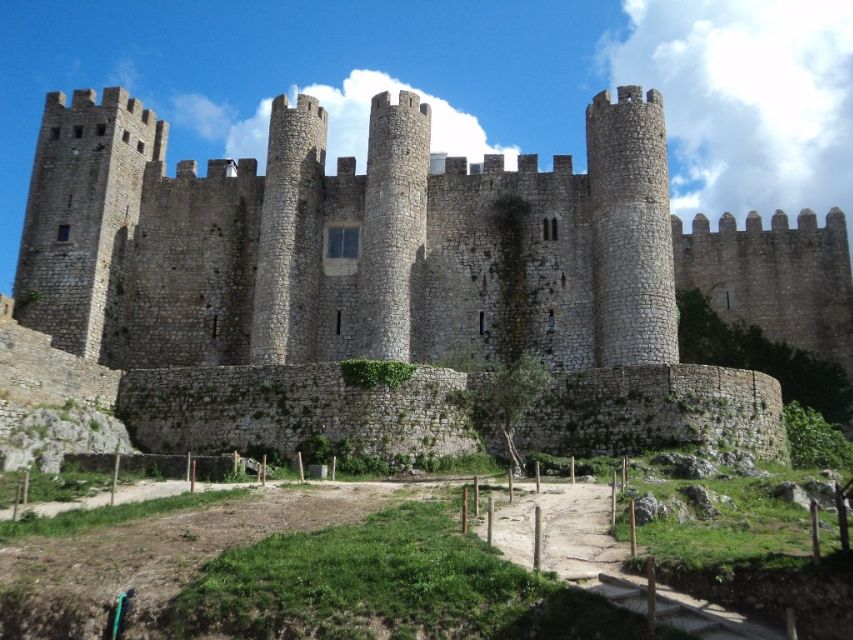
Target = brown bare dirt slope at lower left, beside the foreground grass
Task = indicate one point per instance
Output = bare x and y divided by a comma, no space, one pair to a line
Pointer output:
72,582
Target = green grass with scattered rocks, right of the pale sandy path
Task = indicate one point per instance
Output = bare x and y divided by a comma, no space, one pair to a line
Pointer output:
758,529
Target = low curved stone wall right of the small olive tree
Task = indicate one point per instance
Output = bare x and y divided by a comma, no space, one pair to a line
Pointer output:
631,409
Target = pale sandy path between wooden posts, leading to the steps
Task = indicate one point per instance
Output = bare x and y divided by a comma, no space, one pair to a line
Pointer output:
575,522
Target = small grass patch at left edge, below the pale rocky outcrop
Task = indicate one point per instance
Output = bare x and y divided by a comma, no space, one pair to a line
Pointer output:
55,487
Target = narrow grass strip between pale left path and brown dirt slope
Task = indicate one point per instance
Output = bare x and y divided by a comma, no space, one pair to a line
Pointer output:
80,520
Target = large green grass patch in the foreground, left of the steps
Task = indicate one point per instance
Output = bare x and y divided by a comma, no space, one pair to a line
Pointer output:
405,569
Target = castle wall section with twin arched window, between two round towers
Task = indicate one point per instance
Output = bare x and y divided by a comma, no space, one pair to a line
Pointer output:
469,258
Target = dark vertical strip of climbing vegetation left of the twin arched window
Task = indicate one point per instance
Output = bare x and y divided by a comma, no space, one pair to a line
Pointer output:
514,308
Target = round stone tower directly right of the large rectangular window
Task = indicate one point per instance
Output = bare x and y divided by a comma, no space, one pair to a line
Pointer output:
395,215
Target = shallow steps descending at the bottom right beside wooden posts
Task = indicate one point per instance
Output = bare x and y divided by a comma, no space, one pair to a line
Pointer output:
682,612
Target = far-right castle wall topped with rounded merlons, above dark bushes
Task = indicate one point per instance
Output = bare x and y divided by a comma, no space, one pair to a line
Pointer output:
793,283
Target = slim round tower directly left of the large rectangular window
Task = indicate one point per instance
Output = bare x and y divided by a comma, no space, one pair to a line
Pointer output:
284,319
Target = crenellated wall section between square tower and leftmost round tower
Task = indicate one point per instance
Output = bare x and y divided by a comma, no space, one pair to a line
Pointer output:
186,294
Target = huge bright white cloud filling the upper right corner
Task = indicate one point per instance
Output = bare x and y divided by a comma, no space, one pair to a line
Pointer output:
758,99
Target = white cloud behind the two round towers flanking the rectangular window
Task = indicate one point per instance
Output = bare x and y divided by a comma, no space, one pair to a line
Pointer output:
453,131
